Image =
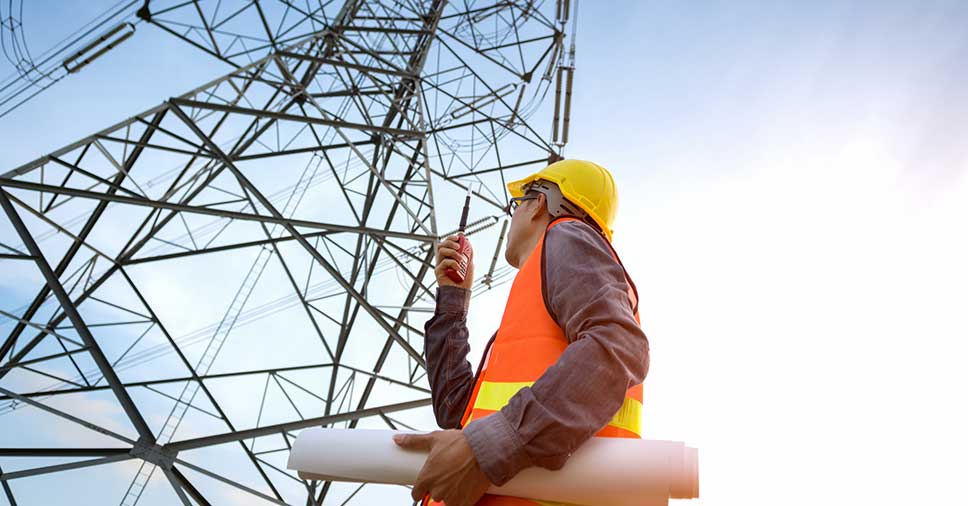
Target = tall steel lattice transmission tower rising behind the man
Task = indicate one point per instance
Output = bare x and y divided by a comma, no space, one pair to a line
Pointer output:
255,256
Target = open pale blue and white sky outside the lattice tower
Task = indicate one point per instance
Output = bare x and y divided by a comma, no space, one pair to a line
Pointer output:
793,207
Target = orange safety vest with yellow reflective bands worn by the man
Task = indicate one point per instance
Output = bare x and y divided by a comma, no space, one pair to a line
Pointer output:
526,344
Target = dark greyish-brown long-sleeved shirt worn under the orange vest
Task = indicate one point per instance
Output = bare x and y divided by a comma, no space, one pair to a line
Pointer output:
607,353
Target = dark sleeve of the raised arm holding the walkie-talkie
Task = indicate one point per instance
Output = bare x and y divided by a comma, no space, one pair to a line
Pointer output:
445,344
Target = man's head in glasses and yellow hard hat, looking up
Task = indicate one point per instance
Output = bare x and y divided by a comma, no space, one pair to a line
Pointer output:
566,188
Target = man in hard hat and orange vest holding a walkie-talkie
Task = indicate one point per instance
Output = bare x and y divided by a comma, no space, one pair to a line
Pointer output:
567,362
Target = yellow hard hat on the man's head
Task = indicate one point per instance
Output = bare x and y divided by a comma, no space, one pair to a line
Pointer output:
588,185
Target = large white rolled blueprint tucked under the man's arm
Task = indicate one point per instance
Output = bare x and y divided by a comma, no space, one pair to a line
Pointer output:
602,472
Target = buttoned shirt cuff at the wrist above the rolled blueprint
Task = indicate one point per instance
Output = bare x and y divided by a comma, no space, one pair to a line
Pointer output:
496,447
